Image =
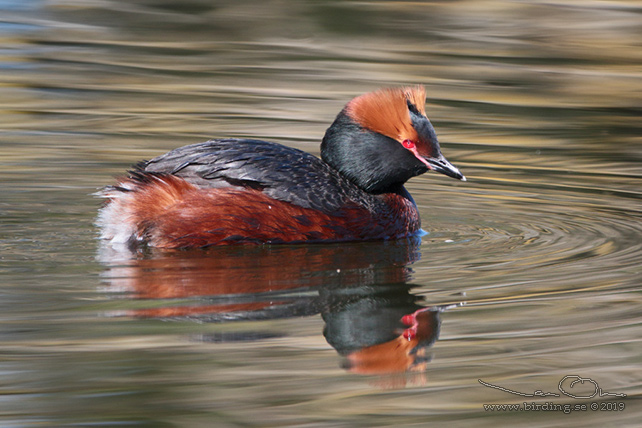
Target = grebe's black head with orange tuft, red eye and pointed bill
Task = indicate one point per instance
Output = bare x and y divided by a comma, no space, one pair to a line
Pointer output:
382,139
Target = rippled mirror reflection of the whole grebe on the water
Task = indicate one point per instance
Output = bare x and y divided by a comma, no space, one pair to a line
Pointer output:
361,290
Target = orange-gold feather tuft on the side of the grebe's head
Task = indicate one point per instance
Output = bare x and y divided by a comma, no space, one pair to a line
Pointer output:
386,111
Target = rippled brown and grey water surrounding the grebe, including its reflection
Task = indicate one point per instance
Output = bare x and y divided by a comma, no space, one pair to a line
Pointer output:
530,271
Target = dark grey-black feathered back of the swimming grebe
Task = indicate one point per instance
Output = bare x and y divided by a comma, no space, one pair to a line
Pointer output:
281,172
